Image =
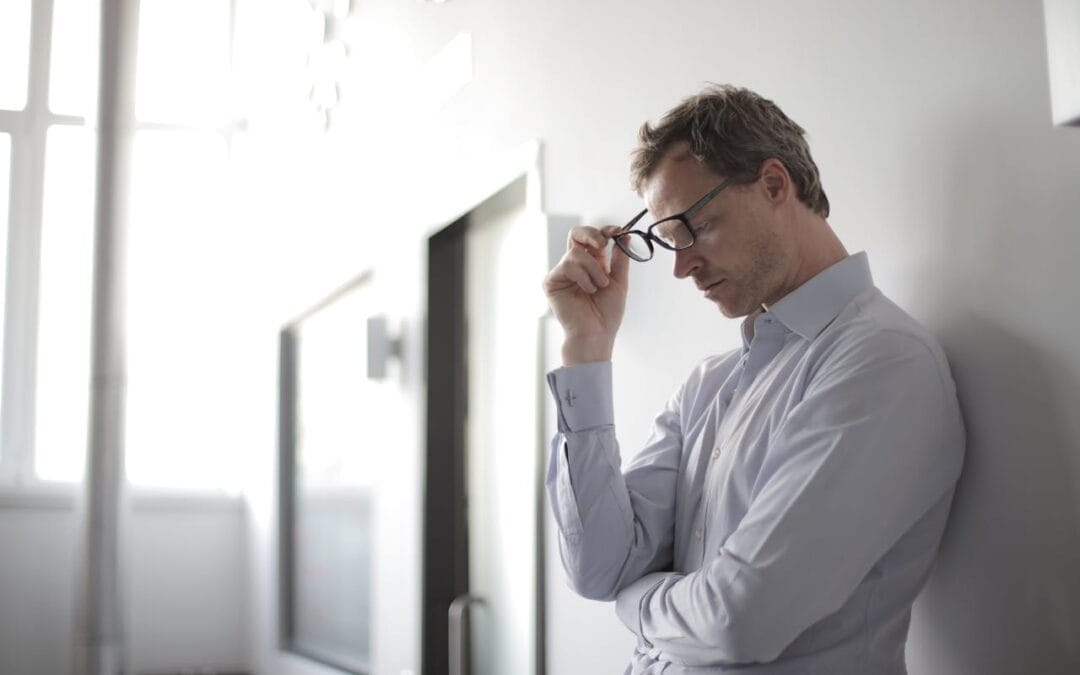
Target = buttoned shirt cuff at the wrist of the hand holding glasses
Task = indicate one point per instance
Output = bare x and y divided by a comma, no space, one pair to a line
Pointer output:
583,396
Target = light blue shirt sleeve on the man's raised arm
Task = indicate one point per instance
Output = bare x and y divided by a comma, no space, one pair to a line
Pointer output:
613,529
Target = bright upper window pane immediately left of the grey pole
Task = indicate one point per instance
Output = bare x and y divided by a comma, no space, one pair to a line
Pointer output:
73,85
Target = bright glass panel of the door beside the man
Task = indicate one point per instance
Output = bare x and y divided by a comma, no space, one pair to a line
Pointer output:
504,312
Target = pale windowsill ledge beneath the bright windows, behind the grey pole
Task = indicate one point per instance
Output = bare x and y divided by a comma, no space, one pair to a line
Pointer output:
67,496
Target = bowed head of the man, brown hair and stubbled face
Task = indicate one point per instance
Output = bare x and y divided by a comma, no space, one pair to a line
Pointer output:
761,238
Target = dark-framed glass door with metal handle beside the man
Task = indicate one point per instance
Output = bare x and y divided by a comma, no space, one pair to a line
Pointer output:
483,539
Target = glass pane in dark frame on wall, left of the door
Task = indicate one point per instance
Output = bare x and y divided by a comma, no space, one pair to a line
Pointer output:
335,488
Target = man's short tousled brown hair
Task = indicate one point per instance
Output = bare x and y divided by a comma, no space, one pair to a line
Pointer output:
732,131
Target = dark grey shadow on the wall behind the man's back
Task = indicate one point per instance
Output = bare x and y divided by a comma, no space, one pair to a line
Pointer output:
1005,597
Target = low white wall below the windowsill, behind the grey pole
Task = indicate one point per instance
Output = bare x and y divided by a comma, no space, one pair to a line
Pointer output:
186,600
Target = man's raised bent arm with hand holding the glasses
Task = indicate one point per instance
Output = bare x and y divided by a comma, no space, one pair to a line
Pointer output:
612,530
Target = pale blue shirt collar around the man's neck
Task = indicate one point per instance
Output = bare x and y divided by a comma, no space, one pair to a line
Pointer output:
812,307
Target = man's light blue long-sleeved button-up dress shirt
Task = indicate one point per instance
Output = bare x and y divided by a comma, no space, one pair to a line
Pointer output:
791,499
